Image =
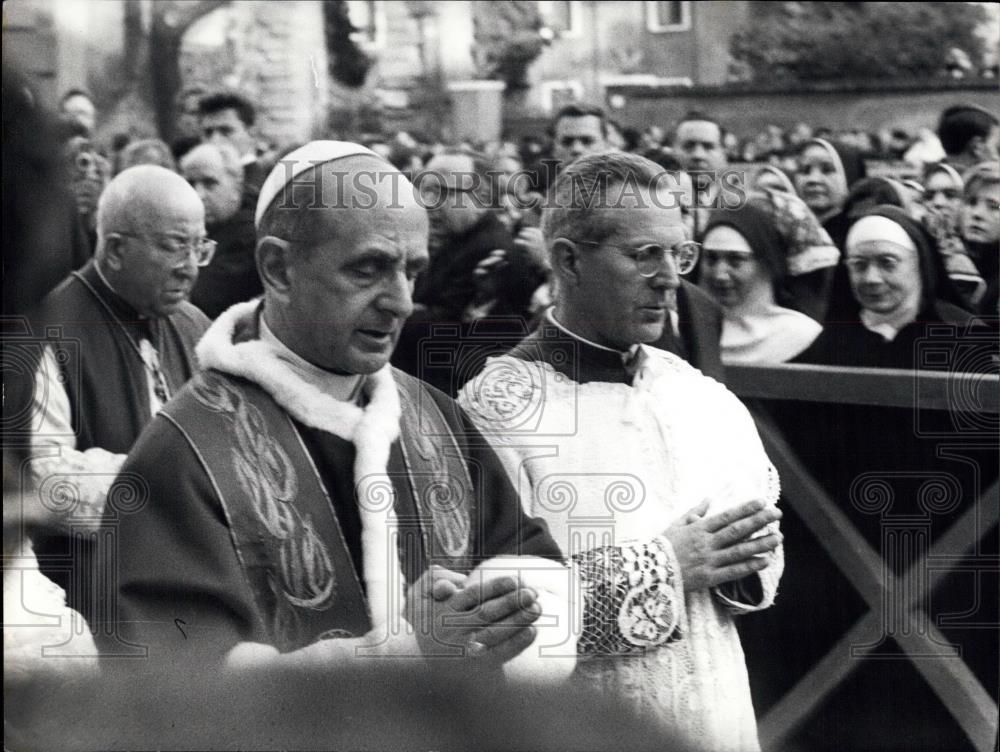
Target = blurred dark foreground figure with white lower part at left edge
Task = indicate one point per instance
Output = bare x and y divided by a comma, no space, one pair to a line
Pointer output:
45,644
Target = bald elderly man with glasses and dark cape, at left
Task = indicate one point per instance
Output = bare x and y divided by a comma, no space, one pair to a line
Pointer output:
116,340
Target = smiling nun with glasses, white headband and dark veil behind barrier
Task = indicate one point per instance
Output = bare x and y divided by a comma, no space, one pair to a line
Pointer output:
899,287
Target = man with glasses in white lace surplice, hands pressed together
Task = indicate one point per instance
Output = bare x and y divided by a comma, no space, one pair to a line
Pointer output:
650,475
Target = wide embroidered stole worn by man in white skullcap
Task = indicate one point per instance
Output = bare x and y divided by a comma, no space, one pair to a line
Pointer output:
285,530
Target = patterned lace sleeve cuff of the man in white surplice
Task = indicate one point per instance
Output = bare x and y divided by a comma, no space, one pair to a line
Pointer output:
633,597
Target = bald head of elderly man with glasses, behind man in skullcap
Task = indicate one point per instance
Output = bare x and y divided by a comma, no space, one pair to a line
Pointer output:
149,223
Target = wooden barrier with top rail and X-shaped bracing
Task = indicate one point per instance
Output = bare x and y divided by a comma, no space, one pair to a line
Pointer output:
952,681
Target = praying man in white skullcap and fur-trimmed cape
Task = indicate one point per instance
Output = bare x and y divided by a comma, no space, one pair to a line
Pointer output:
318,506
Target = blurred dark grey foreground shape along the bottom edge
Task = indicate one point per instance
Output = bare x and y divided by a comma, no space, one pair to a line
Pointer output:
376,705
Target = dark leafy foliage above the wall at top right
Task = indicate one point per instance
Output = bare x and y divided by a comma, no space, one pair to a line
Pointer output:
807,41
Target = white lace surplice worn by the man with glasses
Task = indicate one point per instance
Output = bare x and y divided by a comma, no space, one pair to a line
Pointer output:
609,467
